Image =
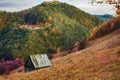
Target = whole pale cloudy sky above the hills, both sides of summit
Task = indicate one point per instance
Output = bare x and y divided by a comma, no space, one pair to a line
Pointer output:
18,5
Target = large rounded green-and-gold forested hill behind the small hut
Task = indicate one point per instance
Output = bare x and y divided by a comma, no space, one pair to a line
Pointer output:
63,26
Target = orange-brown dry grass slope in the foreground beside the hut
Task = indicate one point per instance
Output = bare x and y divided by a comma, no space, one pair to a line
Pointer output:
100,61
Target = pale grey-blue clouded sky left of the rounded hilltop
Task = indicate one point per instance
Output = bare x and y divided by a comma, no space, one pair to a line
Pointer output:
17,5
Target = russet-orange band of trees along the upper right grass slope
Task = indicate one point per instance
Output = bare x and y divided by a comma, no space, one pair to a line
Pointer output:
106,27
